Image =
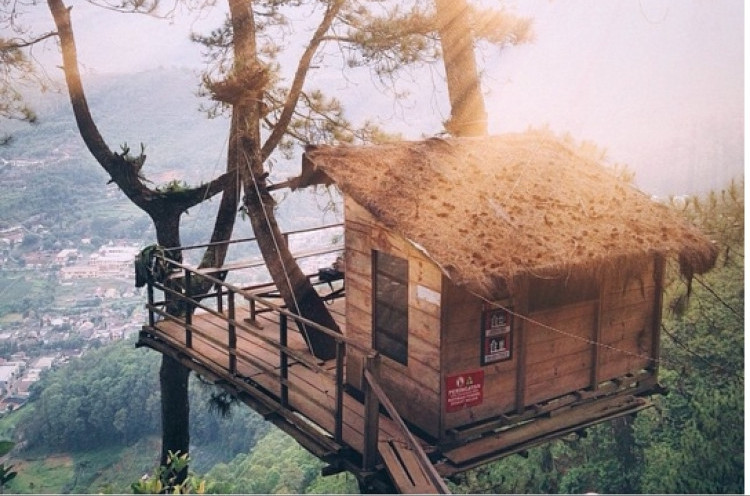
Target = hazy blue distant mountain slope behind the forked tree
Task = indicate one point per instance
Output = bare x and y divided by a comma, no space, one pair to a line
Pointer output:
158,108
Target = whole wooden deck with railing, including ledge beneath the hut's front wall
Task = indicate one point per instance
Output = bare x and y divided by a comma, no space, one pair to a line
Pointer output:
264,361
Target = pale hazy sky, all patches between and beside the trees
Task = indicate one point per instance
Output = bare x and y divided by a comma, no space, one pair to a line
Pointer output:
657,83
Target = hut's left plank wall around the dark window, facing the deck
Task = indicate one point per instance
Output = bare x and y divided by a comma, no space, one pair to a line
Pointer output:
414,388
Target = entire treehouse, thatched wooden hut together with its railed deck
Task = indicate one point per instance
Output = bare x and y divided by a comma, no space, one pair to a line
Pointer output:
499,293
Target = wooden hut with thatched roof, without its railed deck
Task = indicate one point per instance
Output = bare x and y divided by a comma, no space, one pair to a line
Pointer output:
501,279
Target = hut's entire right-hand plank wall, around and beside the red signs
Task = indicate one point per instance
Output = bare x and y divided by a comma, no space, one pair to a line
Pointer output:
559,355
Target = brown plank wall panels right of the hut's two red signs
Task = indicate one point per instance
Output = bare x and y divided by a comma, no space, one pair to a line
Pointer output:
564,360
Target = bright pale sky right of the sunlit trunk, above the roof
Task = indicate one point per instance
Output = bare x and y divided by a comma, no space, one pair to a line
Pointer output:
658,83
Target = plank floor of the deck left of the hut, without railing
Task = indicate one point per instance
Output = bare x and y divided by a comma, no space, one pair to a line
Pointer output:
288,386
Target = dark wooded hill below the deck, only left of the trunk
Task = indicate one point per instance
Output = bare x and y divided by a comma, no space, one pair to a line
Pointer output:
110,396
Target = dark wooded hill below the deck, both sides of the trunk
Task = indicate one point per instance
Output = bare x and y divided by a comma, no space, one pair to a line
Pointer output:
110,397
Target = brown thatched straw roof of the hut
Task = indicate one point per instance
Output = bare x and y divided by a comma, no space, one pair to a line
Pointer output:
487,210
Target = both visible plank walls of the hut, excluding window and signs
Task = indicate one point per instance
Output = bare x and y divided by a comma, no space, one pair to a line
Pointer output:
556,363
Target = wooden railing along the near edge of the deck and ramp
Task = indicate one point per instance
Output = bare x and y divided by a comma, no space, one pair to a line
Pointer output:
176,289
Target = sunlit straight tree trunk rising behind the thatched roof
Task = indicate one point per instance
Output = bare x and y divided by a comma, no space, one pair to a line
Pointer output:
468,114
